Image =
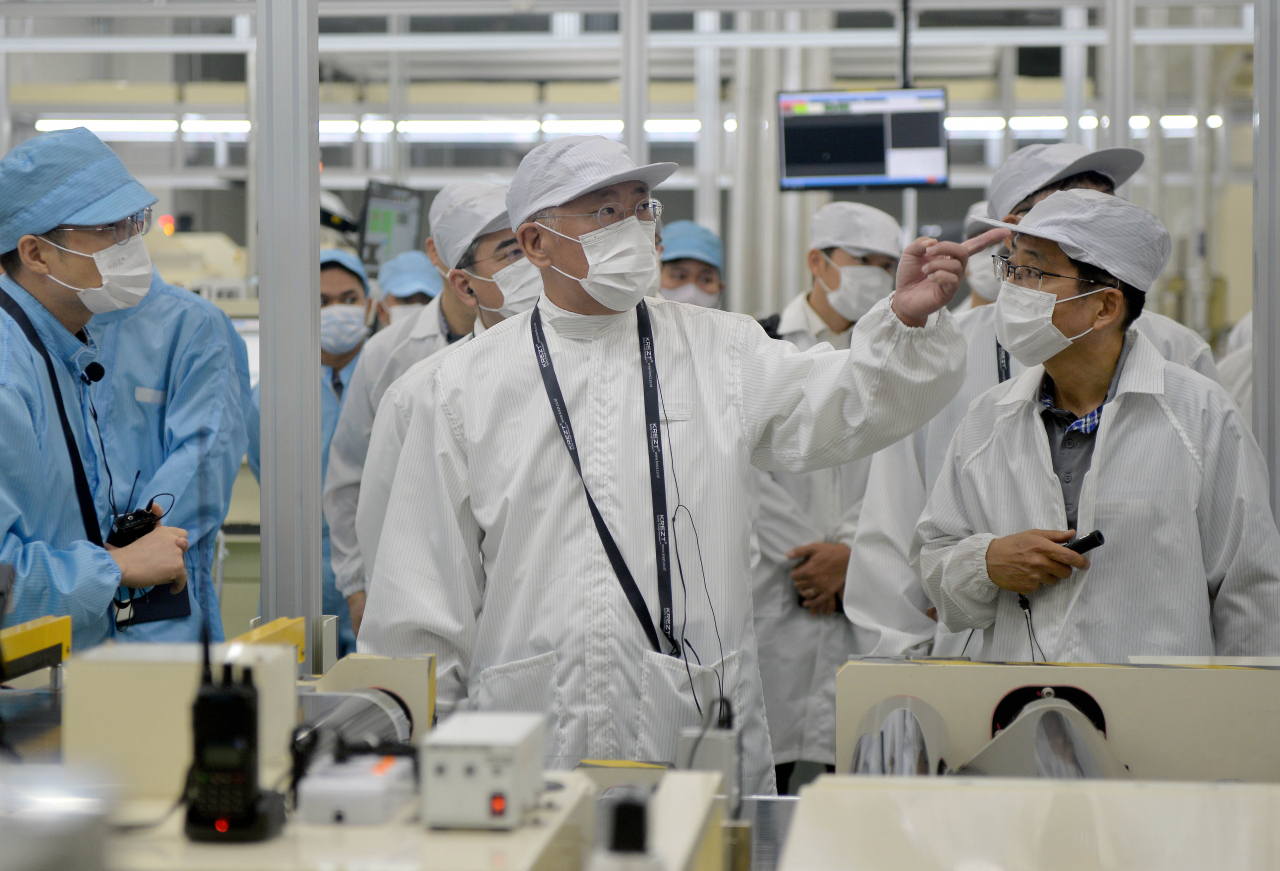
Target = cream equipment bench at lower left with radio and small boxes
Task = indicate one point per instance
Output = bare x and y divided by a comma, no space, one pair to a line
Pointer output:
222,756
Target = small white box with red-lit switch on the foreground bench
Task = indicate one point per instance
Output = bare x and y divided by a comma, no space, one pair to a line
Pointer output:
482,770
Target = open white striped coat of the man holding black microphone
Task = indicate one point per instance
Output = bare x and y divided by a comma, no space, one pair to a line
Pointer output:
1191,566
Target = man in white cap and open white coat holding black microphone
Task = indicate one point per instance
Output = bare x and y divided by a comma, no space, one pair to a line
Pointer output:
1153,455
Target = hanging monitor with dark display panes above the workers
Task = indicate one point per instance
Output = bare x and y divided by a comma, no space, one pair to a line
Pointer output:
860,139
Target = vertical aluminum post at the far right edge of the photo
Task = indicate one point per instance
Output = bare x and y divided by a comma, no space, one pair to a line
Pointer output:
1267,239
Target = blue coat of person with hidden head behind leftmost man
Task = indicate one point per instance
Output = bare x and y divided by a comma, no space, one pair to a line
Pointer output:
176,394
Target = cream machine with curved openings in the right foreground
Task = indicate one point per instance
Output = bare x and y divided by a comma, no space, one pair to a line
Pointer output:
1162,764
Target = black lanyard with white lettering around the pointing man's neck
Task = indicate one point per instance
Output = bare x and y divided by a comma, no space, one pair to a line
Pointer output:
657,480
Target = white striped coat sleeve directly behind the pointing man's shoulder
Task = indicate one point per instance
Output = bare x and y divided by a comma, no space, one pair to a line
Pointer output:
386,444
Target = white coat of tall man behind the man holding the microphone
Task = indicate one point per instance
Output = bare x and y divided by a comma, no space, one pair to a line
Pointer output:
884,596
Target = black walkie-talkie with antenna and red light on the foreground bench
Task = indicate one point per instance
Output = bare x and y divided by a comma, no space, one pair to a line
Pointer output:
225,802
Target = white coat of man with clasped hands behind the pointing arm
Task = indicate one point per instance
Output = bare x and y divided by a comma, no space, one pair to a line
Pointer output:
799,653
